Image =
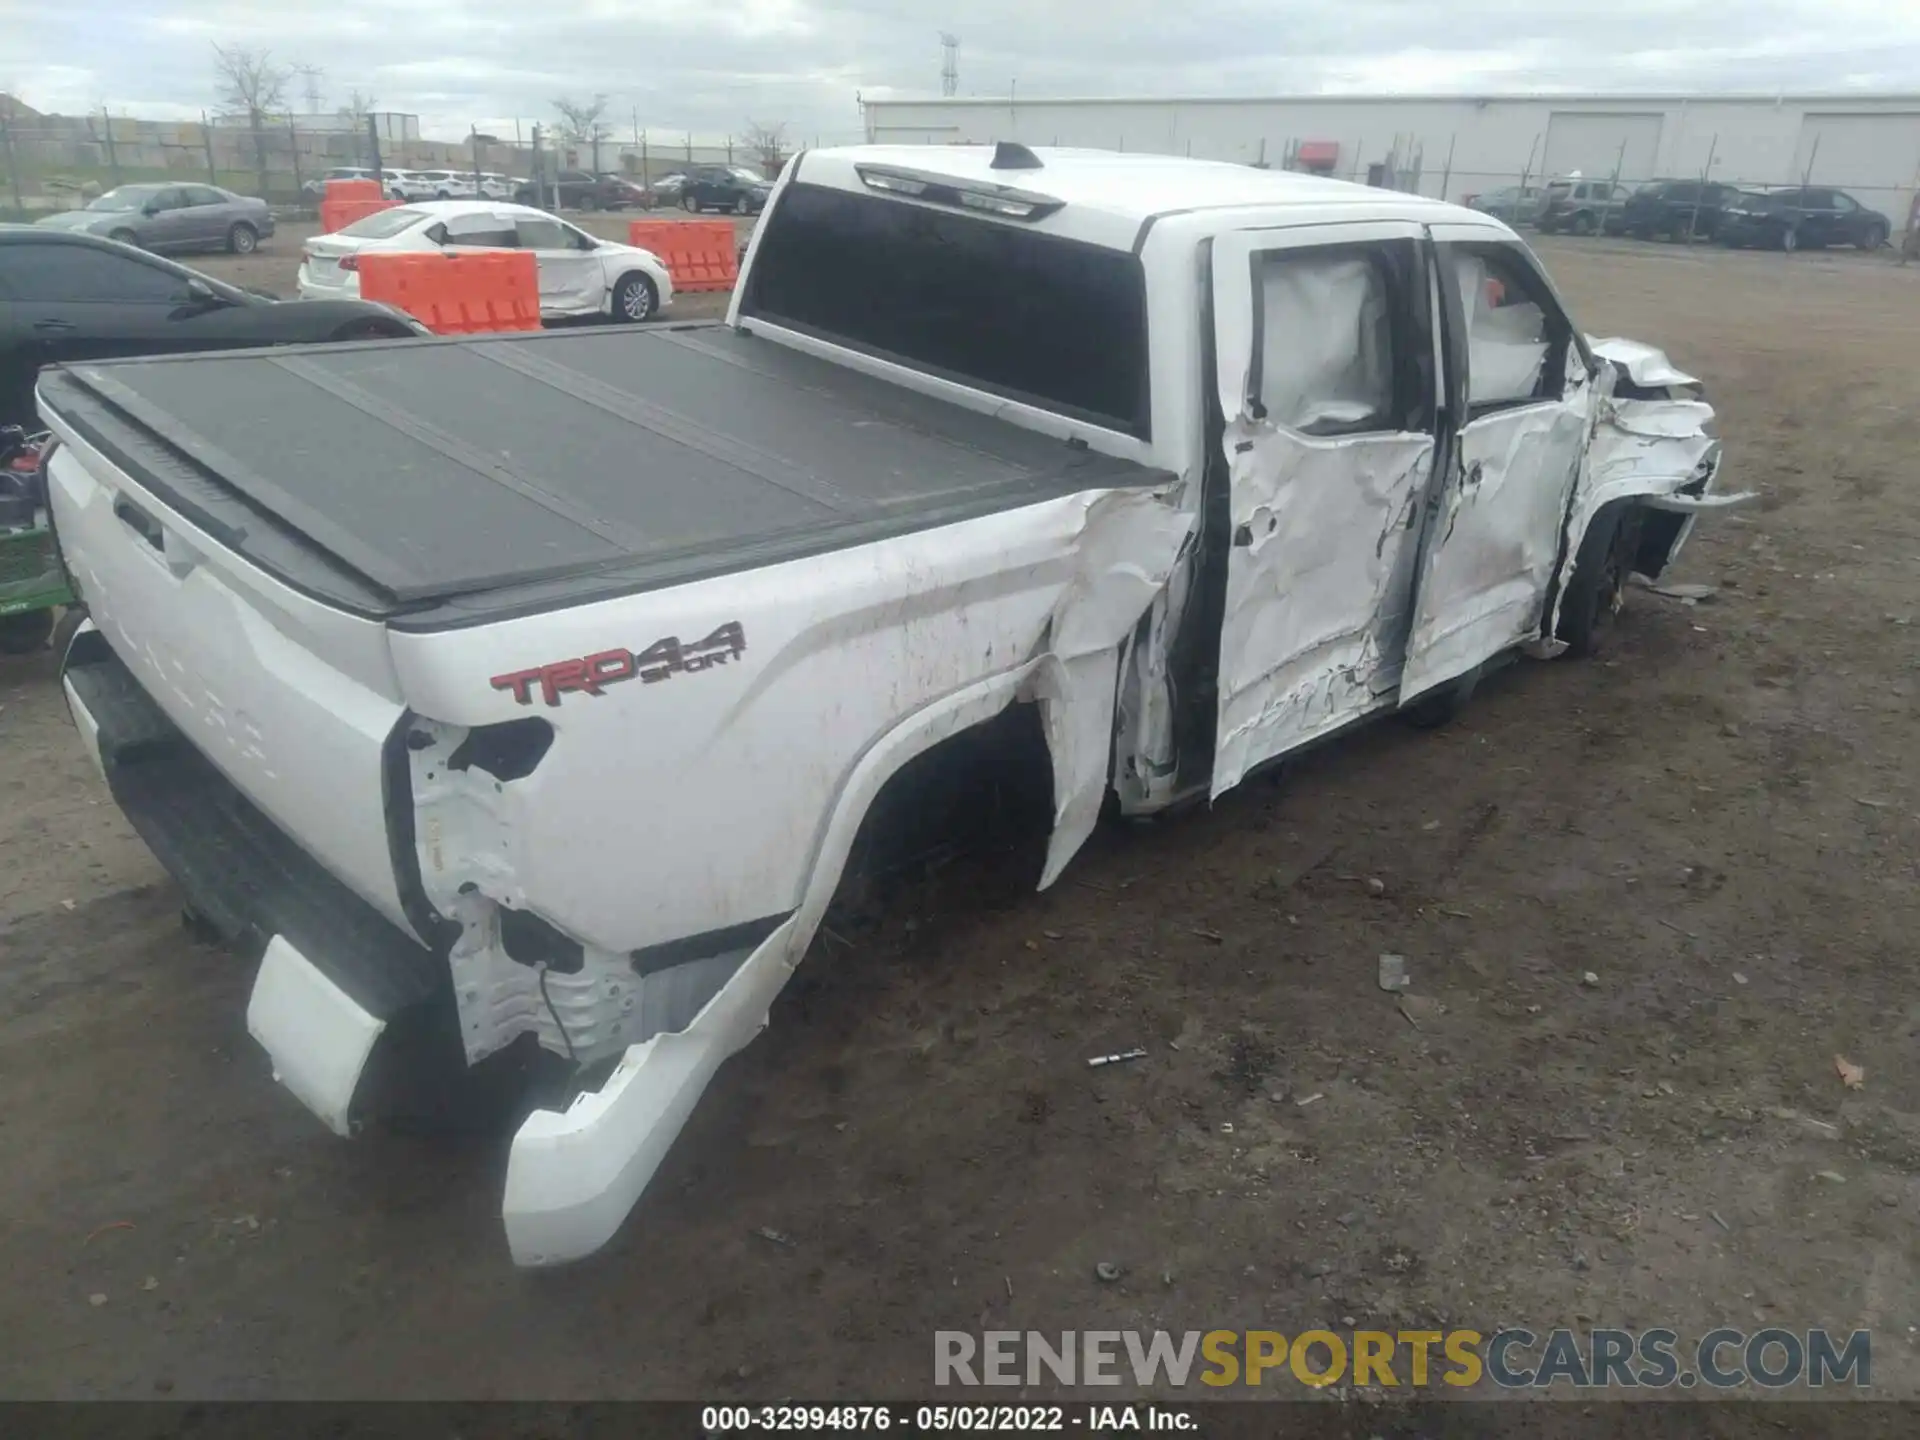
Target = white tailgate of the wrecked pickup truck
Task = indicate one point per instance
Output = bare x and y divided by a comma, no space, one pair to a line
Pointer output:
289,698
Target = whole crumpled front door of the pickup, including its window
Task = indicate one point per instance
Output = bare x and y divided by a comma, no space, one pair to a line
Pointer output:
1525,387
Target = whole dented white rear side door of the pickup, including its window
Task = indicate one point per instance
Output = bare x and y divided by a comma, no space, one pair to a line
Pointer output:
1328,385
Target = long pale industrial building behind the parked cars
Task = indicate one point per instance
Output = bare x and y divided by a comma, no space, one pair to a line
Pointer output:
1458,147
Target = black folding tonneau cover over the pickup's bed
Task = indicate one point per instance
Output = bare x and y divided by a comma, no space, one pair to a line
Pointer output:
458,481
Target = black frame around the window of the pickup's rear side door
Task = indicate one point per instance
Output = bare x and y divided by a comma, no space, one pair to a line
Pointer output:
1410,329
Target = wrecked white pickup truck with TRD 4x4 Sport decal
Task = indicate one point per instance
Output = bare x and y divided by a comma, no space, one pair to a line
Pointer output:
544,683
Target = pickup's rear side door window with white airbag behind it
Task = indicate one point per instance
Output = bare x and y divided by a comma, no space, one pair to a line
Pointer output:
1337,348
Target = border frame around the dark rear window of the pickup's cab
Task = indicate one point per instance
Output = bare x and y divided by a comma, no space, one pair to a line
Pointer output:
1140,425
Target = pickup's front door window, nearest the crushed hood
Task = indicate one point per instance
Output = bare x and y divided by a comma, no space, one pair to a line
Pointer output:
1516,333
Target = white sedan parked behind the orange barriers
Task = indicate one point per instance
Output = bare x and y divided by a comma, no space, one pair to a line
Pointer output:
579,274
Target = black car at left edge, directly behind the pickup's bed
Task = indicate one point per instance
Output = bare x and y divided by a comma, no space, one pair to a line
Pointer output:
78,299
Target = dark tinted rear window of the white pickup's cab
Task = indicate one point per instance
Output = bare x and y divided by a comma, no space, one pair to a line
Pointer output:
1028,316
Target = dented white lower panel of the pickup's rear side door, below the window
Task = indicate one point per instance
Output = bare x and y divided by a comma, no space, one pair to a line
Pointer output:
1318,585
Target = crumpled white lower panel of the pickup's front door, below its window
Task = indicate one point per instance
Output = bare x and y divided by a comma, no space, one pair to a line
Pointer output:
1493,540
